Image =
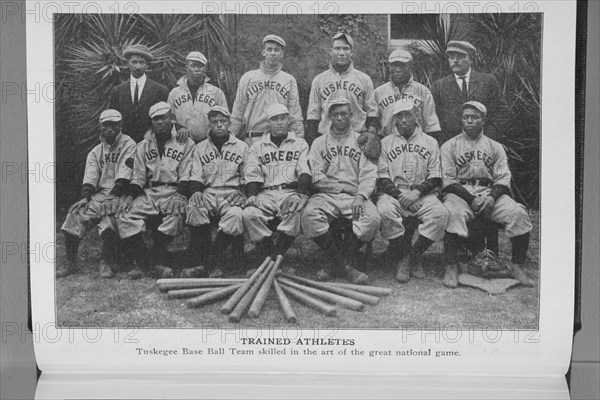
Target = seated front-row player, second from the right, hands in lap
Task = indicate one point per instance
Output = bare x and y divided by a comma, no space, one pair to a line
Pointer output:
409,172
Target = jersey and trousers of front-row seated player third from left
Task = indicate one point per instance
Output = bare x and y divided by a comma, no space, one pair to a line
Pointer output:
219,173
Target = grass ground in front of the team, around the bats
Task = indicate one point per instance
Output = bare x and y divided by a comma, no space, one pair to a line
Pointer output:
85,300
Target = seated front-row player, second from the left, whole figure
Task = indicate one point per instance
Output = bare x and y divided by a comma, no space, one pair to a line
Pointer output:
158,188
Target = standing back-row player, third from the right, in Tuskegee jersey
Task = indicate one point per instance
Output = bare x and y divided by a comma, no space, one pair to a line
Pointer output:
341,80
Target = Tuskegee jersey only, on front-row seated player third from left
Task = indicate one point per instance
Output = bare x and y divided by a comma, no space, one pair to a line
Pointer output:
224,168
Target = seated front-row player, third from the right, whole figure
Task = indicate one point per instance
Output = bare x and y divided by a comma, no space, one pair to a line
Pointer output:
344,179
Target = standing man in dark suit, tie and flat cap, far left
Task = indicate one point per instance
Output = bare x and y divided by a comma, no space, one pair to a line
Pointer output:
134,97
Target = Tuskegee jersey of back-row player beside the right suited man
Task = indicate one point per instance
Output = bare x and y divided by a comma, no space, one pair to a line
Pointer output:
388,93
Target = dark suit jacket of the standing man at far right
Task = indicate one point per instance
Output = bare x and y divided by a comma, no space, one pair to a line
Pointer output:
448,99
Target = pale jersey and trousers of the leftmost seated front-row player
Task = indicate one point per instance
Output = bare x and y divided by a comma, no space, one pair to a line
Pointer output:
105,165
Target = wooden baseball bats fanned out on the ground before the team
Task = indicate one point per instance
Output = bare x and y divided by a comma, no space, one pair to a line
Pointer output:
248,296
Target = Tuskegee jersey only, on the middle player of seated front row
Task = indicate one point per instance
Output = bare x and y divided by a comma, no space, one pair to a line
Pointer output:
272,165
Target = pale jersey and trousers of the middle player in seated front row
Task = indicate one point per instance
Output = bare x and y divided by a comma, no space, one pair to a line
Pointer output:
278,170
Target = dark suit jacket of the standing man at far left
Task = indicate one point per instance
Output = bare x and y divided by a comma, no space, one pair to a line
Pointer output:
135,118
